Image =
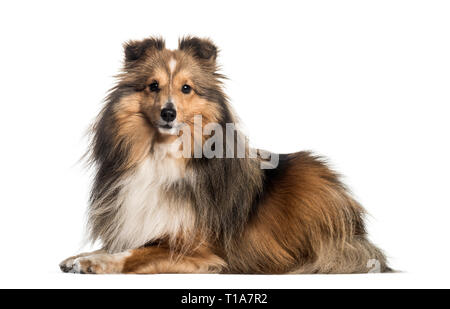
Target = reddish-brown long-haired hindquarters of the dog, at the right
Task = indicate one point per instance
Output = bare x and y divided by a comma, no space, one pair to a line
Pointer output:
307,223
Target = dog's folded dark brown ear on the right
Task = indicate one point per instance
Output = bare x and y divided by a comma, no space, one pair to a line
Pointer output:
202,49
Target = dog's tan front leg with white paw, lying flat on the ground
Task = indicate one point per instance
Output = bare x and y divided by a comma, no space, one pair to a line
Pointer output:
149,260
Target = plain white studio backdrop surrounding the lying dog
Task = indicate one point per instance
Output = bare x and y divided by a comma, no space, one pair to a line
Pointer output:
365,83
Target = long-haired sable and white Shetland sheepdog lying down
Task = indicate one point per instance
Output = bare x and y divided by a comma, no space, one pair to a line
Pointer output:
156,211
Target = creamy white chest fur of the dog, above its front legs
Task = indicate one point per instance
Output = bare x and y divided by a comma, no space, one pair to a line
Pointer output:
144,213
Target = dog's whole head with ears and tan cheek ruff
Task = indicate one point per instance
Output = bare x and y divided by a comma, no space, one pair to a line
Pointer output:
159,92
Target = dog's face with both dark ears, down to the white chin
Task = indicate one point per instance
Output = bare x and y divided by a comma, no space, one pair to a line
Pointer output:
173,86
